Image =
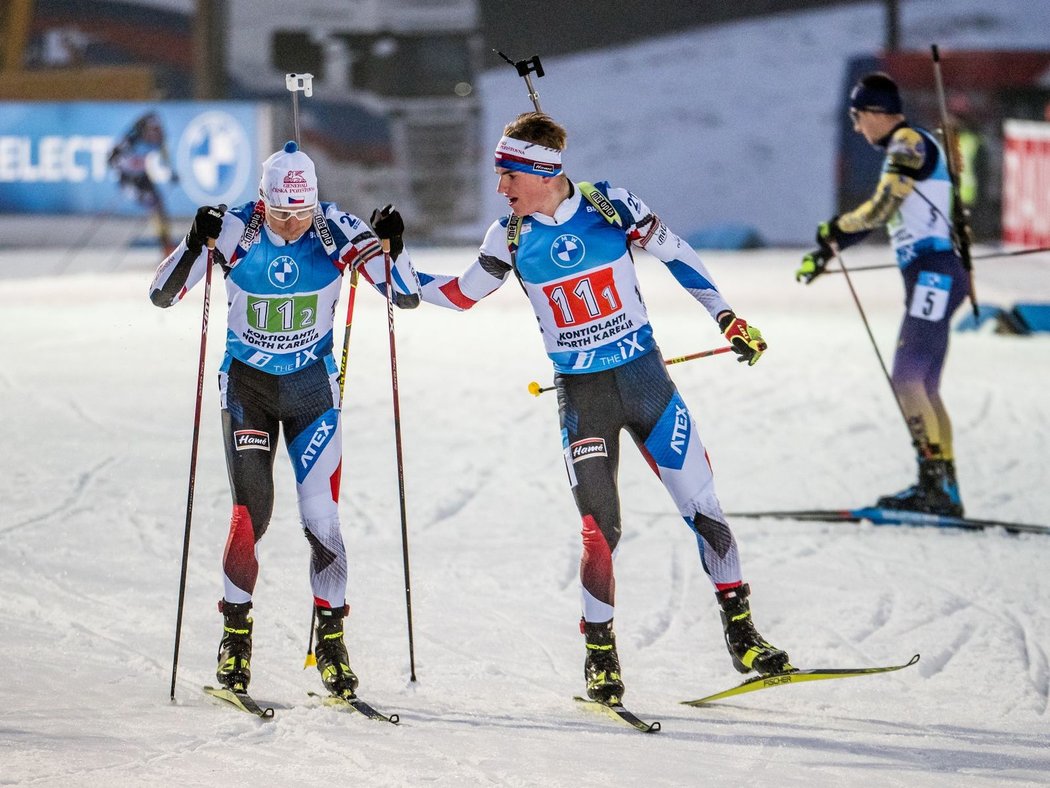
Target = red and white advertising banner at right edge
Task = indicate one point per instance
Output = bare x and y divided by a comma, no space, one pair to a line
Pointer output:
1026,183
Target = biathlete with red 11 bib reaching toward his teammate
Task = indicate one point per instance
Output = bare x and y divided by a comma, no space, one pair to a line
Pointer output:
570,246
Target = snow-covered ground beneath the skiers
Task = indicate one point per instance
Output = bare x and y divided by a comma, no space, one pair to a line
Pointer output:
98,401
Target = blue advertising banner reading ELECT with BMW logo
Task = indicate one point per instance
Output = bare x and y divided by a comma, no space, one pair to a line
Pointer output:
111,157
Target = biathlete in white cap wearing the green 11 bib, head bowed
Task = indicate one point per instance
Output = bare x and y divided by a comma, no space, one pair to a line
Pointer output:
283,259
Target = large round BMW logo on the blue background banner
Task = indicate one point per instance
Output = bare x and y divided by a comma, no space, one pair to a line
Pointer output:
216,150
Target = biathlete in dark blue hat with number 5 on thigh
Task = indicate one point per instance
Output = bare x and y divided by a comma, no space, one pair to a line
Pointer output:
913,200
